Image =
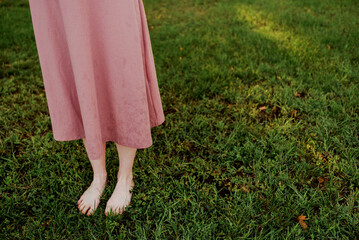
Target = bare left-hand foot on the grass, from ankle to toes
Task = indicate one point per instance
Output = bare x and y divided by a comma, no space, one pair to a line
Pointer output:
90,199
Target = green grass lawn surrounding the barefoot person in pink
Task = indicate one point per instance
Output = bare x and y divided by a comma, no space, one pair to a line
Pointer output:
262,121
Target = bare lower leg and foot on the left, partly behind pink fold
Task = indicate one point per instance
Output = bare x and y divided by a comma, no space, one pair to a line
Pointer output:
90,199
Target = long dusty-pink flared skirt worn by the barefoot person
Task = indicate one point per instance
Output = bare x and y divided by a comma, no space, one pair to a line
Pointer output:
98,71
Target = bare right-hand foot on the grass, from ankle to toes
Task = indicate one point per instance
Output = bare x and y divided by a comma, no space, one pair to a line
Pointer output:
121,196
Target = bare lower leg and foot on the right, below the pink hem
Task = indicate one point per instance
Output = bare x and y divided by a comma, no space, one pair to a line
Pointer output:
121,196
